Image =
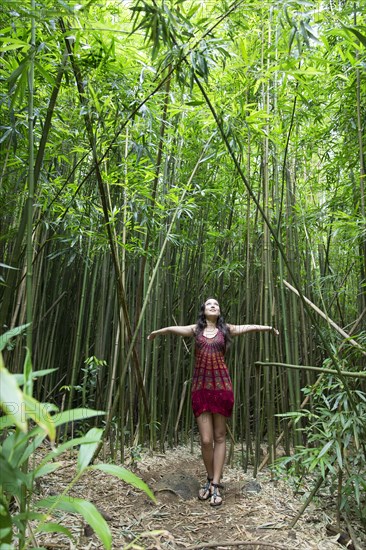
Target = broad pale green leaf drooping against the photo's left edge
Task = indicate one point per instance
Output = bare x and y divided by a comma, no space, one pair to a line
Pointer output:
11,397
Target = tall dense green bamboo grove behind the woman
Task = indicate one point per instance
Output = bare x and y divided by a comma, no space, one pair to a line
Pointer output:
183,149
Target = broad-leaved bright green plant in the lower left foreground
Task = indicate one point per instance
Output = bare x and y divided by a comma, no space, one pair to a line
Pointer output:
20,470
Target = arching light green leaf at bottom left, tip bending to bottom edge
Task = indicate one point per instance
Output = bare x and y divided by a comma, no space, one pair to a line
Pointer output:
86,509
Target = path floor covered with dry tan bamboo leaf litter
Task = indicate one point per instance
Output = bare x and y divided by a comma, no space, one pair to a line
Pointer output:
179,520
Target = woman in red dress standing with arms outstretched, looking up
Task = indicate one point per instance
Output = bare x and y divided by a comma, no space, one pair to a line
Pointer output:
212,392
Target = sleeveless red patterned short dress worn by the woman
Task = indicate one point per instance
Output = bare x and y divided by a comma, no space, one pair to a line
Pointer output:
212,390
